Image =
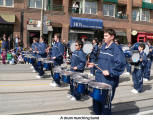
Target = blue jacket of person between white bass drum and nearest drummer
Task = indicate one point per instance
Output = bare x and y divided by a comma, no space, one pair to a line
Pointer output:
94,53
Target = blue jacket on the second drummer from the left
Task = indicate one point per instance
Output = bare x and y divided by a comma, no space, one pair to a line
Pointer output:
41,48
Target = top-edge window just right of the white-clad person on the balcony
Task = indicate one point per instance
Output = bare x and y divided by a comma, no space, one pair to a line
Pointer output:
90,7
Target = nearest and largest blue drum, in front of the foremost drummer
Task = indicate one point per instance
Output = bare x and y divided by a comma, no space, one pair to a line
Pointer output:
99,91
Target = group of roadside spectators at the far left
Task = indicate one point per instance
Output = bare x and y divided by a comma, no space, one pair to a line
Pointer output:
10,50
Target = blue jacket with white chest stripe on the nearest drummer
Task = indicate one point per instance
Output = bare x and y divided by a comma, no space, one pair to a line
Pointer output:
113,60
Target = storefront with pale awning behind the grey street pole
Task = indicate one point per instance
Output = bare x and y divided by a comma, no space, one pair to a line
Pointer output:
33,28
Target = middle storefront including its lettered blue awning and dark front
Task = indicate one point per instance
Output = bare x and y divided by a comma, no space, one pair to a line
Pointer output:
85,28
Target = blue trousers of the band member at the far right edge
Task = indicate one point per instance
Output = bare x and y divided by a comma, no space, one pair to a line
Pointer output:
147,70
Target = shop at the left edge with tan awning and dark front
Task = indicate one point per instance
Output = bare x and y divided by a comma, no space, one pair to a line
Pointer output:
7,24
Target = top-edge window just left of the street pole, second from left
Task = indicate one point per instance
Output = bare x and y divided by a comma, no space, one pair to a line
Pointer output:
35,3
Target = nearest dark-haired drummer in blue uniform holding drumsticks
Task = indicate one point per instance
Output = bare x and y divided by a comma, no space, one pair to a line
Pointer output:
112,61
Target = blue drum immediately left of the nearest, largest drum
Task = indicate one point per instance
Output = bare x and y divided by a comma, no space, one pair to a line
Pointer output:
81,85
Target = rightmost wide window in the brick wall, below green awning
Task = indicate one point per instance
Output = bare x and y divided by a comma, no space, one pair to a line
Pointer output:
141,15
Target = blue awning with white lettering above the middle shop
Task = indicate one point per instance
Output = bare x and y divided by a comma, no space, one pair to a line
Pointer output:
76,22
